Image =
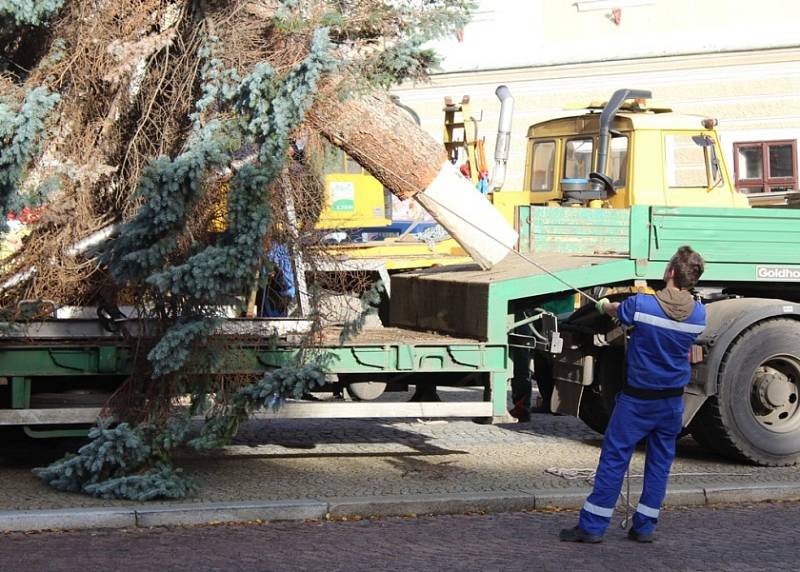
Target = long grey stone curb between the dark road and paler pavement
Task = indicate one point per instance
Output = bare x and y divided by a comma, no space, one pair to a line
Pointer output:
188,514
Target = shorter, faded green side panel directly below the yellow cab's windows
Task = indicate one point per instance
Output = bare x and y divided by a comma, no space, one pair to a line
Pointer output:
579,230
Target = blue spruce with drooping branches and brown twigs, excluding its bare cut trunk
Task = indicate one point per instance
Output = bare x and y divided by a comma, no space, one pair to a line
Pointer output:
147,115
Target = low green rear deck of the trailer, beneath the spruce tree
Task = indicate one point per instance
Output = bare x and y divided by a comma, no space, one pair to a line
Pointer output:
58,373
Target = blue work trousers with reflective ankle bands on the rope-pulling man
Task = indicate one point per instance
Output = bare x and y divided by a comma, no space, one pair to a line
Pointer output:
657,420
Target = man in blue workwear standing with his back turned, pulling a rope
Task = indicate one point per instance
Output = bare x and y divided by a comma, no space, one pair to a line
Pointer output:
650,405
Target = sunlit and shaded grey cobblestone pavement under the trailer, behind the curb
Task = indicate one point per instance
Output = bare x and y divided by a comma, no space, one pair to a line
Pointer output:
321,459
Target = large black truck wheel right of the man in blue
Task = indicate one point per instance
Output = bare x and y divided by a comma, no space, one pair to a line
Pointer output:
755,415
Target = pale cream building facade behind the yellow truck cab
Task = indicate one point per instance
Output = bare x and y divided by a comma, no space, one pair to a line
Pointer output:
733,60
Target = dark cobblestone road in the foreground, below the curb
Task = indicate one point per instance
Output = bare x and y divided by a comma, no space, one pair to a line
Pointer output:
756,537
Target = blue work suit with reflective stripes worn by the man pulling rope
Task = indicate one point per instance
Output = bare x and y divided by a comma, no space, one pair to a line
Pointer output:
657,360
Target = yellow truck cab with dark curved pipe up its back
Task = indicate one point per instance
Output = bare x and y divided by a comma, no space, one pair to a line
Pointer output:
625,153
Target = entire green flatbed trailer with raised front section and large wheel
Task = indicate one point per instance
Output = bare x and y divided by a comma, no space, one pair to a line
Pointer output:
742,401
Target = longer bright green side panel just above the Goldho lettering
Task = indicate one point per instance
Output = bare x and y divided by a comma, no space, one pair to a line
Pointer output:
741,236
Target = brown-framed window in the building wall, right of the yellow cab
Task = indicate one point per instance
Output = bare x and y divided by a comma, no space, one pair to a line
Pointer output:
765,166
